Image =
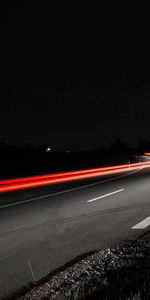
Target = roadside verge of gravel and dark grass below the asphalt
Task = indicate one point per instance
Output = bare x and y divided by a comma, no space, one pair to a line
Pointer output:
121,271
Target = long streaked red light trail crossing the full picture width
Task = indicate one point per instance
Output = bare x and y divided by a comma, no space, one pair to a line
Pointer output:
41,180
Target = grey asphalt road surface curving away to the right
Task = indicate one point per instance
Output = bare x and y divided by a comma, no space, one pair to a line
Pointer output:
50,231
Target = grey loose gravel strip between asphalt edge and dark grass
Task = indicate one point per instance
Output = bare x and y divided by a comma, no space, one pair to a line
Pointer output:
91,274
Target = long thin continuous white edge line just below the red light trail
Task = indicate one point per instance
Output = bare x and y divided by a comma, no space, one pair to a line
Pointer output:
70,190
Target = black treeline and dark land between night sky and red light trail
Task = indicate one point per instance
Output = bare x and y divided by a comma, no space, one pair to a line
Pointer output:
28,160
